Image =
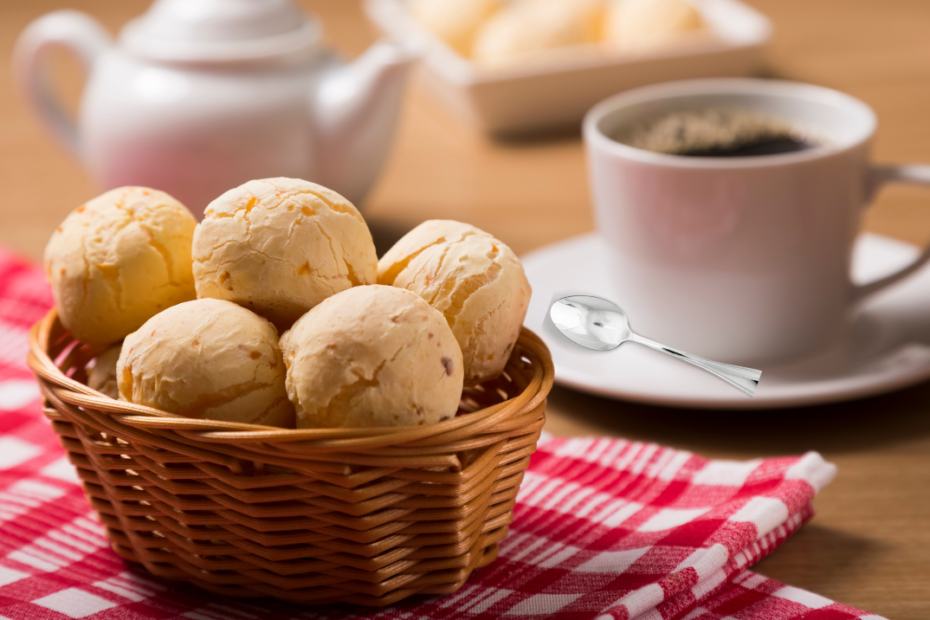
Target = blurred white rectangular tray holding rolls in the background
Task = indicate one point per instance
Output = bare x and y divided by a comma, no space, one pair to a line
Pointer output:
556,89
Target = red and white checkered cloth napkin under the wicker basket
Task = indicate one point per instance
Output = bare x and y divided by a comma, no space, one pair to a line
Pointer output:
603,528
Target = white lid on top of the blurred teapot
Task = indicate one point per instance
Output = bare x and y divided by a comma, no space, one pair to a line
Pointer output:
220,30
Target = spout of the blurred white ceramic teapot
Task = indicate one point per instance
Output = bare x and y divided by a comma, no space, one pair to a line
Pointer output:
356,109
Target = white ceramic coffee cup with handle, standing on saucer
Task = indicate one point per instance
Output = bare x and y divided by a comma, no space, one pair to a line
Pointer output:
742,259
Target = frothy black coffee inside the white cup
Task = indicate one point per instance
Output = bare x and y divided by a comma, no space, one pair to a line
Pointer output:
717,132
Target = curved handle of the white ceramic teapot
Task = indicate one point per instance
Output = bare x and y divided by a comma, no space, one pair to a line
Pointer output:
74,31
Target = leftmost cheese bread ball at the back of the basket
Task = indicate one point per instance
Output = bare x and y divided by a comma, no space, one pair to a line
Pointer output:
118,260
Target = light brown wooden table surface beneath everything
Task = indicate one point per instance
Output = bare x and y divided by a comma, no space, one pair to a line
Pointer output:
869,545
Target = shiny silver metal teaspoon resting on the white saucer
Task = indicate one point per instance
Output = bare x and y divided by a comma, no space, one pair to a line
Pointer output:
601,325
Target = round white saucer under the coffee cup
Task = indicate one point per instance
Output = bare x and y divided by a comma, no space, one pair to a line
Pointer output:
886,347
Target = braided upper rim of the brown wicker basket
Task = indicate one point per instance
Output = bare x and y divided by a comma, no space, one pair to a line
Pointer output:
75,393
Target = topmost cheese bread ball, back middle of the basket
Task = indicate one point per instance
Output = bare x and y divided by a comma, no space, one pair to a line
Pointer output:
281,246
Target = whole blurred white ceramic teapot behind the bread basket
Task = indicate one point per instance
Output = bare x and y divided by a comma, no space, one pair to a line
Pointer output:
199,96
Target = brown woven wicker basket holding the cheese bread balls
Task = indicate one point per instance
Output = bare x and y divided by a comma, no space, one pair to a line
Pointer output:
367,516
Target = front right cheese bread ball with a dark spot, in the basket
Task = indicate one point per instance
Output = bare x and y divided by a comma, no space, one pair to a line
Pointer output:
372,356
